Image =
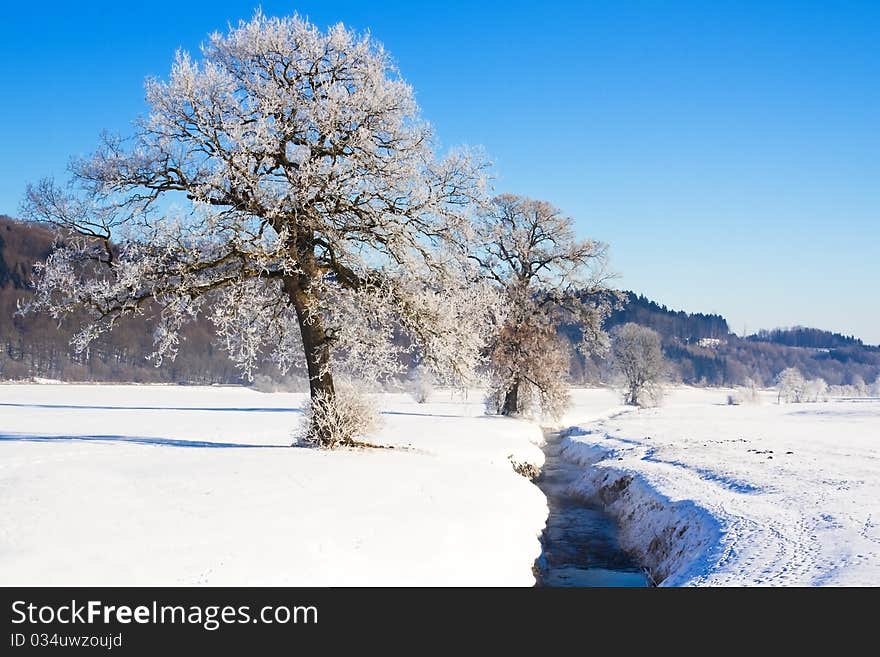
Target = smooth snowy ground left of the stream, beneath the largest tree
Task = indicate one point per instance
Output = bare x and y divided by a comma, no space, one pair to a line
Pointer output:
153,485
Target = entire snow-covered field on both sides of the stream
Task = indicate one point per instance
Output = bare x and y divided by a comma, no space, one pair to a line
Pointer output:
164,485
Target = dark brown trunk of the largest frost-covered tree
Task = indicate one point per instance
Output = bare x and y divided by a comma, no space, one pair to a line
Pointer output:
316,346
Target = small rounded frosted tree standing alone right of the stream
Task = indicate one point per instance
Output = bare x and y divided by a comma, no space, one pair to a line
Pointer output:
636,355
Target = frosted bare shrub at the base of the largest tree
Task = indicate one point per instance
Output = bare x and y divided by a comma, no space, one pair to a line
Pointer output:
338,420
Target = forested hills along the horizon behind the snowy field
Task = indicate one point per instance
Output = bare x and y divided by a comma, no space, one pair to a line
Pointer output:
700,346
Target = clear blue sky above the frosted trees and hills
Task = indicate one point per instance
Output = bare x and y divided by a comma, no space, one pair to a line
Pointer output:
729,152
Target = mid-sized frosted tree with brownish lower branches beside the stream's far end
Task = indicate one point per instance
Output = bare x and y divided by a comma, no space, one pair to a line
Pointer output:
528,250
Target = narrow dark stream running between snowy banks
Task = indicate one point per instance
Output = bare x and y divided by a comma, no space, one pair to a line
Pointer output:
580,546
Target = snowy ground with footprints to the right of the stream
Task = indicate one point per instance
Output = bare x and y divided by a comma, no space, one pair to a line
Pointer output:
711,494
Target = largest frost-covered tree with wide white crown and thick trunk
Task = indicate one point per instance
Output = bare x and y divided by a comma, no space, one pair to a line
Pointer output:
285,186
